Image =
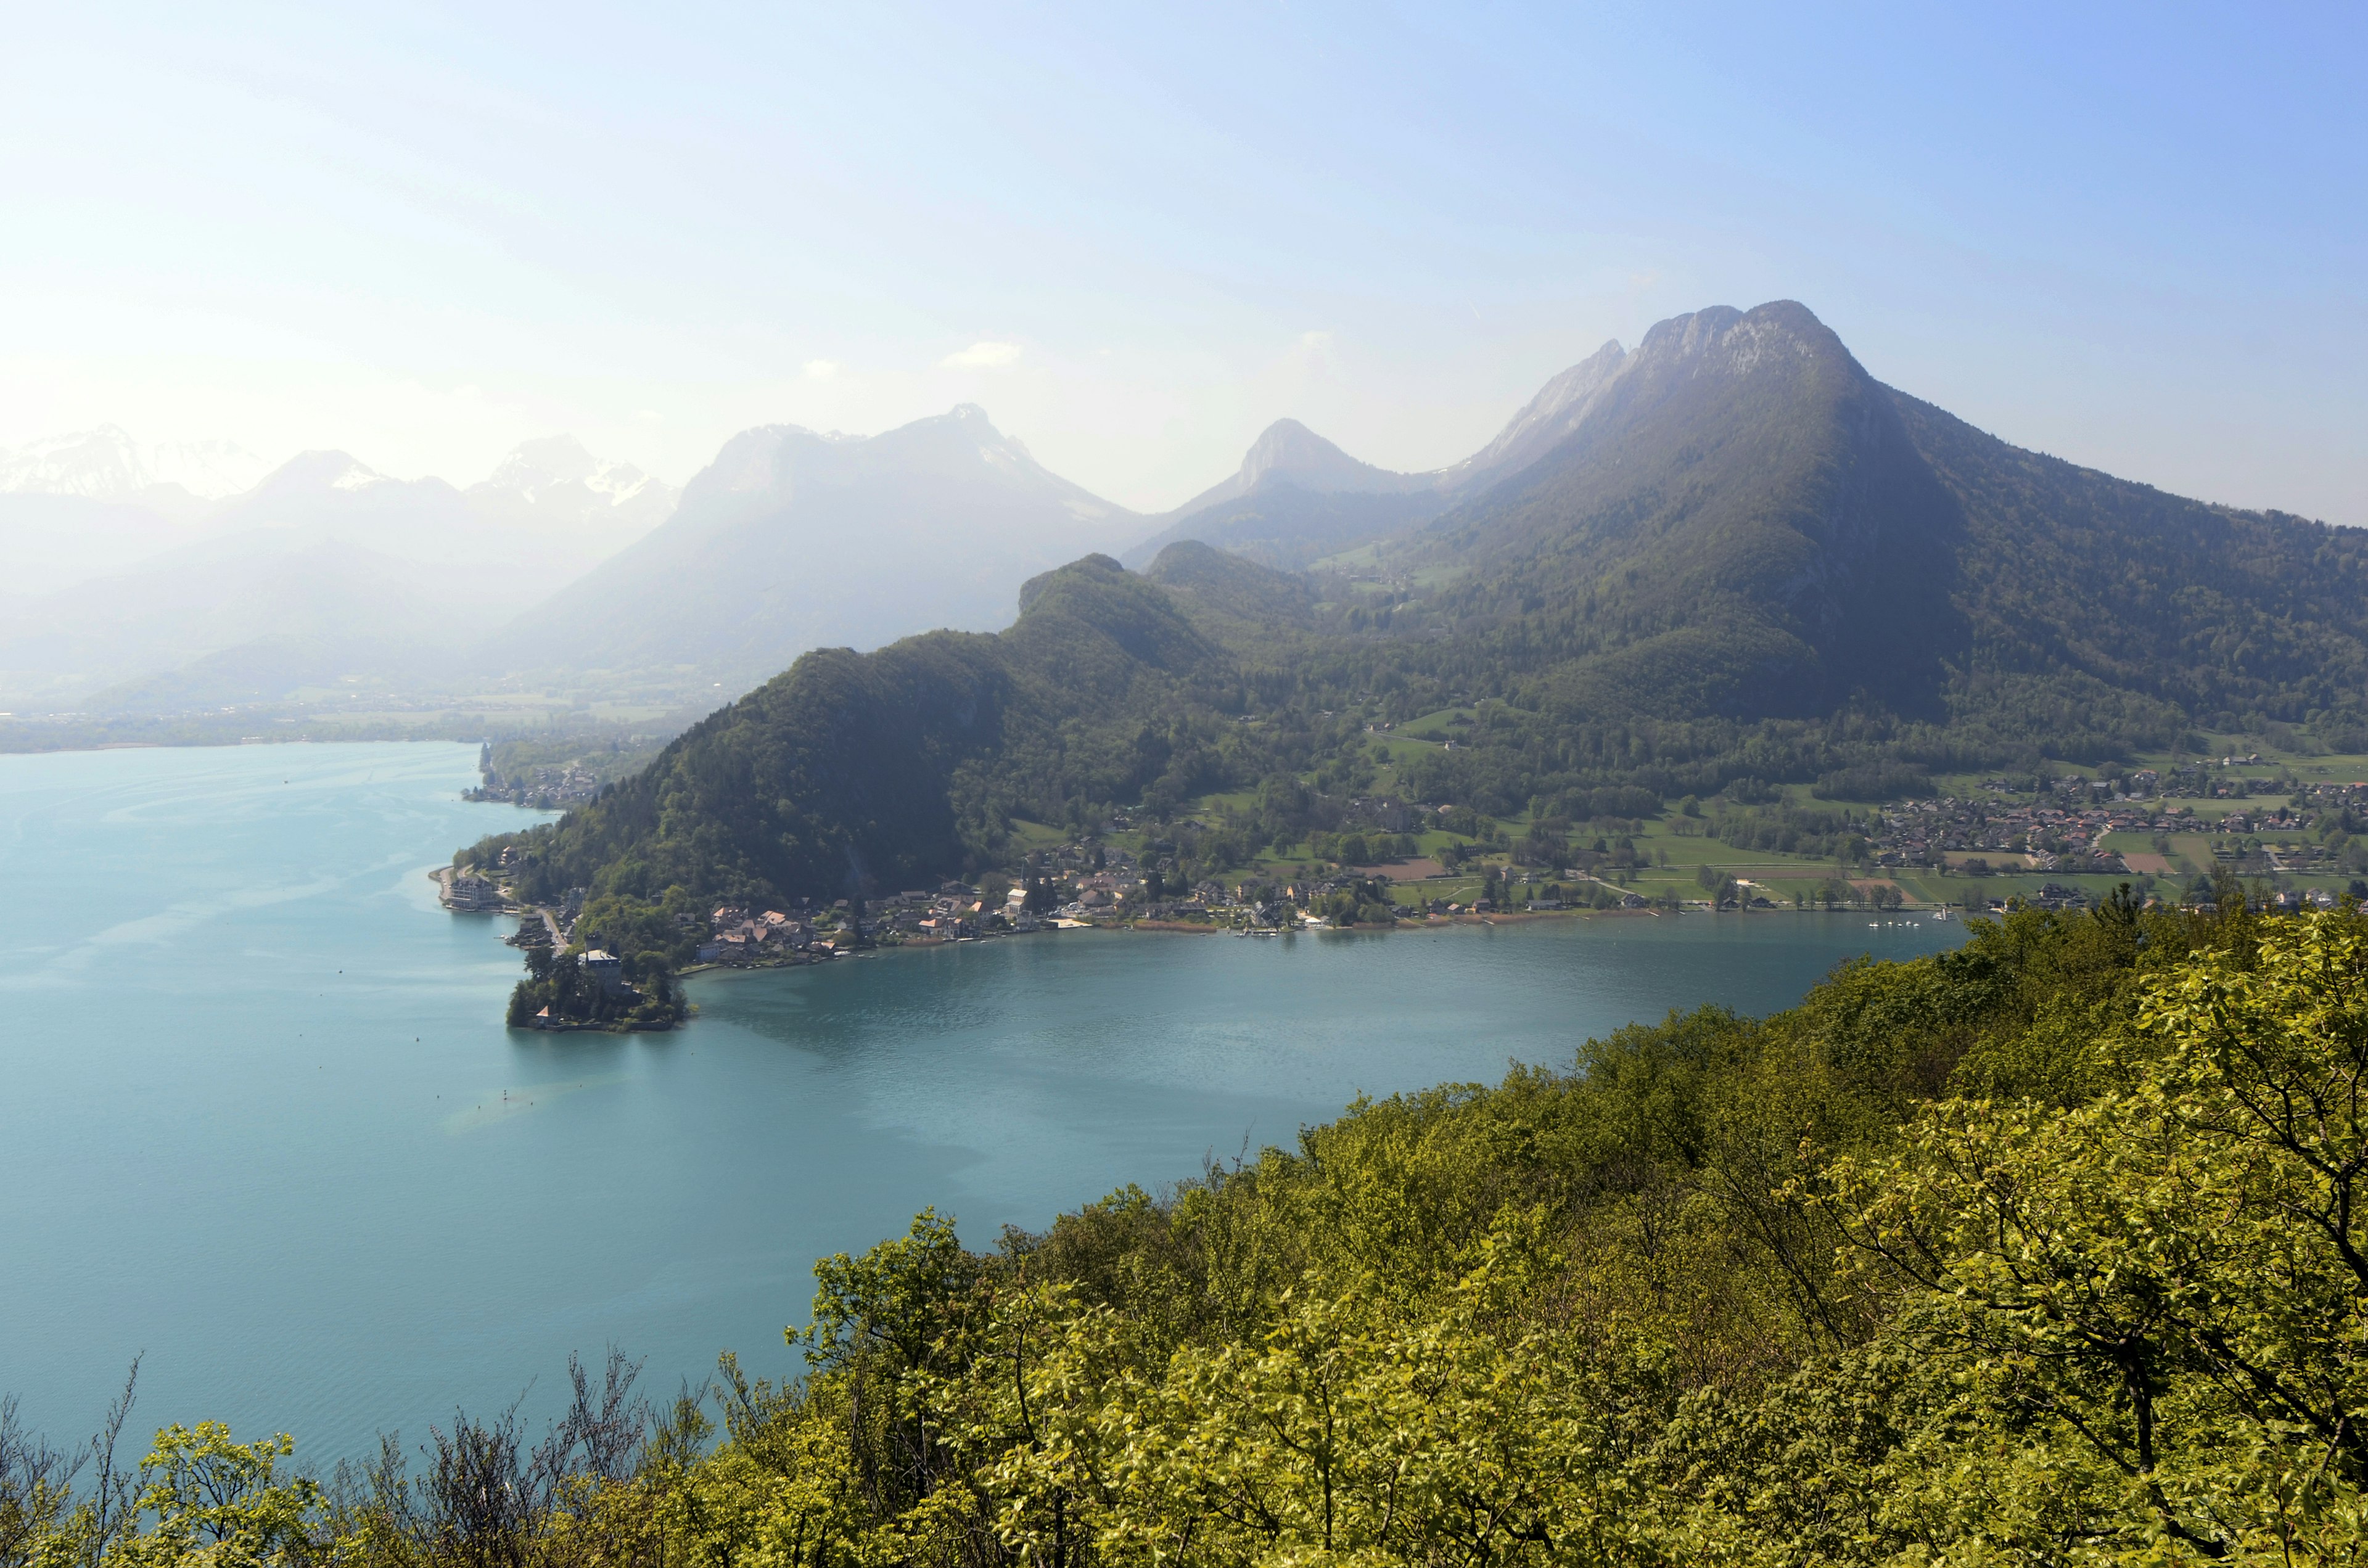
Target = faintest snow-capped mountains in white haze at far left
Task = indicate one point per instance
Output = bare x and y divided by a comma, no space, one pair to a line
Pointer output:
321,572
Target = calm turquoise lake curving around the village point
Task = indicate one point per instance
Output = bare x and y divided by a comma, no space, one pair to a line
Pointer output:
262,1122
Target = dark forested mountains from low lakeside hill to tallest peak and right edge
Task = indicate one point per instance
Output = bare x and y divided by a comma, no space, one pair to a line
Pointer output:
1725,558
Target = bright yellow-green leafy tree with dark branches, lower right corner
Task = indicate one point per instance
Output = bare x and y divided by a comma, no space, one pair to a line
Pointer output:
2151,1309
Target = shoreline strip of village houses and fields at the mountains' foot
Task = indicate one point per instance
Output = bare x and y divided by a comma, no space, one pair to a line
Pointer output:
1403,866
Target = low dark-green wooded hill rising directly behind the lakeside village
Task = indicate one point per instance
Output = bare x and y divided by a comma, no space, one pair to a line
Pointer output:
856,773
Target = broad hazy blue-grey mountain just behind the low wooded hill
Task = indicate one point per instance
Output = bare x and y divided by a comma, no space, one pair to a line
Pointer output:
794,541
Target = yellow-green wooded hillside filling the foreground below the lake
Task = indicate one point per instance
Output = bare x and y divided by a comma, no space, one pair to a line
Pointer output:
2045,1252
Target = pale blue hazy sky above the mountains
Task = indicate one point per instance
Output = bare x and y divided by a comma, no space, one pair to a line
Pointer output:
2128,236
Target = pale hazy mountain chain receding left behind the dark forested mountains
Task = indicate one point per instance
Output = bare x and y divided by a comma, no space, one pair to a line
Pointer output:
181,579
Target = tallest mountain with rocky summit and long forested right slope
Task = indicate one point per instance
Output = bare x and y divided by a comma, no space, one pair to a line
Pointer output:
1746,525
